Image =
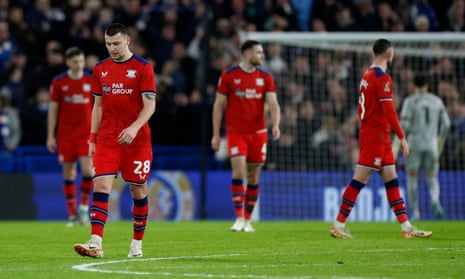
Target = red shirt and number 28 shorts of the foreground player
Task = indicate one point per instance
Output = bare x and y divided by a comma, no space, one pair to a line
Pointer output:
121,86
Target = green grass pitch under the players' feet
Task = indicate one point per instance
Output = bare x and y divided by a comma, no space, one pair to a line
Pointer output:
207,249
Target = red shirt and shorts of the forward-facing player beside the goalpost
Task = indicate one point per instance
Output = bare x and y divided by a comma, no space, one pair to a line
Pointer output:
246,130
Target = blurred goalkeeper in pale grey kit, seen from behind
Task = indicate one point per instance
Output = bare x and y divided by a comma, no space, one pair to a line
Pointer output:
426,123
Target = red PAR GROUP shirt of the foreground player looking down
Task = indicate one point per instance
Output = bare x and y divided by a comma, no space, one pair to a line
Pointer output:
121,85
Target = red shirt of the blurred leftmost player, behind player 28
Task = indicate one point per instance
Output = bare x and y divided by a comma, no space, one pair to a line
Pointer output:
74,98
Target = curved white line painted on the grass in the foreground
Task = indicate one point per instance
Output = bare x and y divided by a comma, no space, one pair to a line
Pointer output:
90,267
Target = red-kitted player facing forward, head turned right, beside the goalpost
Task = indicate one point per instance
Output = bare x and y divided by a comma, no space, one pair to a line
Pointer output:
242,92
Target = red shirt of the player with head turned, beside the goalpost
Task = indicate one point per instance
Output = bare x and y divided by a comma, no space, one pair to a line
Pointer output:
245,94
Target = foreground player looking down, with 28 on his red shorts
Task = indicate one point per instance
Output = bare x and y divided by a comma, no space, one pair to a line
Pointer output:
124,90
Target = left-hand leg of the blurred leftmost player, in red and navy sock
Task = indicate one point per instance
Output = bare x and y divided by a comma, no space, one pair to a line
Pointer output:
69,191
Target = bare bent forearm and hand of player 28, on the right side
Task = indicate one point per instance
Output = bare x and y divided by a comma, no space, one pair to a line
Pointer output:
128,134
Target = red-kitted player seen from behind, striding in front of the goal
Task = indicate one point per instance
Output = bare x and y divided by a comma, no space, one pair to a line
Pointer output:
378,116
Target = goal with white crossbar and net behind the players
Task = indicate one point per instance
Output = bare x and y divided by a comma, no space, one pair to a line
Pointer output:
317,77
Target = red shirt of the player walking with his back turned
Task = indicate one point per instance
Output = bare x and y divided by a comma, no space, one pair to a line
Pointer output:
376,88
